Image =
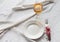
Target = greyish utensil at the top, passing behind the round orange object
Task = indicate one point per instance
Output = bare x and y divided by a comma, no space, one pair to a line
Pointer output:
30,6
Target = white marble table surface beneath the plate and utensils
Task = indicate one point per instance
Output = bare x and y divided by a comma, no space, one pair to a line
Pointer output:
12,36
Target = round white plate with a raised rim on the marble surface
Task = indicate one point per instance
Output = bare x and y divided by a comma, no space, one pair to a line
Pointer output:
33,29
